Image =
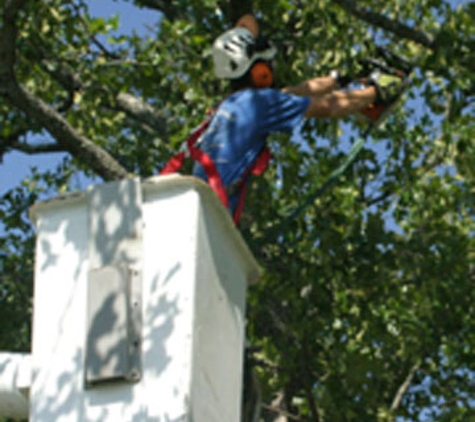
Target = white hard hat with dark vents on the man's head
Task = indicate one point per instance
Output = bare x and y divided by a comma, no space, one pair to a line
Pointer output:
236,50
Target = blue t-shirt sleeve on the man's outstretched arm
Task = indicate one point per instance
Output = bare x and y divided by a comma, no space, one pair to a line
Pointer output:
279,111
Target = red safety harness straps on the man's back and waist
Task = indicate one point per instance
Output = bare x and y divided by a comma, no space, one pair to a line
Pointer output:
214,178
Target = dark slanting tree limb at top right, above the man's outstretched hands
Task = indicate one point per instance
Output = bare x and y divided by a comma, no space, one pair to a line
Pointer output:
387,24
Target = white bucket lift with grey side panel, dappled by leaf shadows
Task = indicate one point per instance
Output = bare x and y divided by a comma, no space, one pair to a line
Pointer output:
139,307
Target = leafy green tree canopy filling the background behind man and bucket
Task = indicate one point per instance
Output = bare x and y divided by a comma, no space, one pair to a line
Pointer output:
365,311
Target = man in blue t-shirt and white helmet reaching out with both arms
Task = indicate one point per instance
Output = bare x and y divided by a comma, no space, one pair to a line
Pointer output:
236,135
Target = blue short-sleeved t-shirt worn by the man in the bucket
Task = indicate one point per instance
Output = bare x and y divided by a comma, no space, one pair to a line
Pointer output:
239,128
